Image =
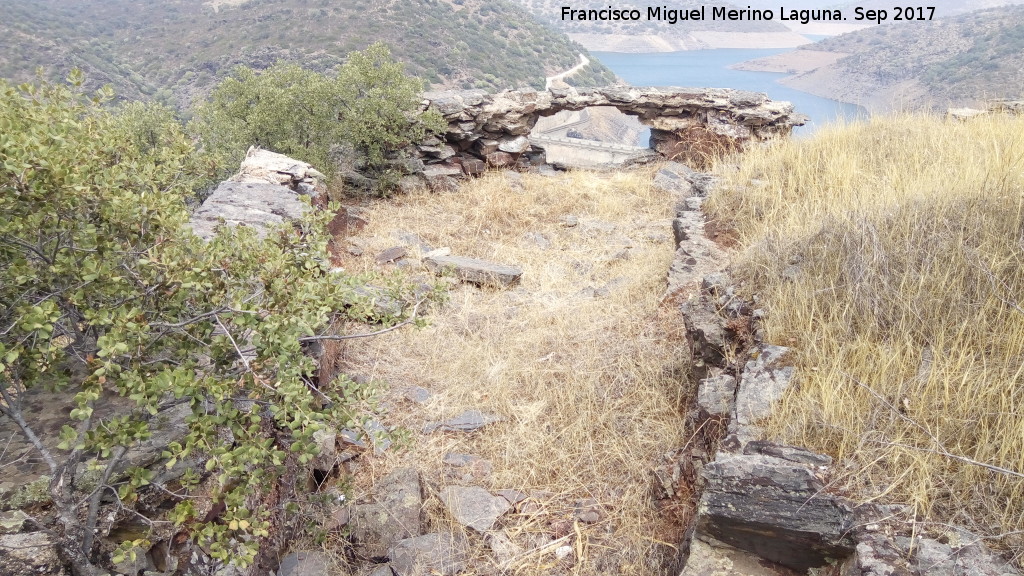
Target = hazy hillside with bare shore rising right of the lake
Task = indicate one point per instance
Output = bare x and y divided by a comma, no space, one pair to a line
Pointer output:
956,61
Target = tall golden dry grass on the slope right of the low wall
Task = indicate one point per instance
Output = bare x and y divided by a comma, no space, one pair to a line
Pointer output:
890,256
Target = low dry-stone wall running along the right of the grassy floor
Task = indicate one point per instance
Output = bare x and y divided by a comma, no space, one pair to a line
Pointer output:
765,509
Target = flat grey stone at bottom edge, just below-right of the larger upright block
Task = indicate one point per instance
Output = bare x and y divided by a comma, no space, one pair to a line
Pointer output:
431,555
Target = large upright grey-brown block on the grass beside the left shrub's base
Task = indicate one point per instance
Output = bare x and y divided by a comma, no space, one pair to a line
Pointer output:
394,516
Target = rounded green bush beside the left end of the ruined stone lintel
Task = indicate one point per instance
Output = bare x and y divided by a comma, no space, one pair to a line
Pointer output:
371,105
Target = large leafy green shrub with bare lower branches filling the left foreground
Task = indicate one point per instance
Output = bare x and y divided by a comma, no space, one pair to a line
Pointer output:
105,292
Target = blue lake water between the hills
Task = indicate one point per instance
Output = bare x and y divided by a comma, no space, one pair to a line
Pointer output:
710,69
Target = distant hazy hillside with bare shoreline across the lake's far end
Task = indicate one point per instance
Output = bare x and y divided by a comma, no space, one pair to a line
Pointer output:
663,36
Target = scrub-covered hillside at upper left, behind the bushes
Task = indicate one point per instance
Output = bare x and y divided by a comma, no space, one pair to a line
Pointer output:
176,51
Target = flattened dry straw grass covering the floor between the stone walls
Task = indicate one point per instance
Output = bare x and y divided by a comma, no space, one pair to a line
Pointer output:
590,390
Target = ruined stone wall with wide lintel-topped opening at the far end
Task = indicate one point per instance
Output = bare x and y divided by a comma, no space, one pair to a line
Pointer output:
492,131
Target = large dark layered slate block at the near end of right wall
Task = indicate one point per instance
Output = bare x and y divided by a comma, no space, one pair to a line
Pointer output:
776,510
